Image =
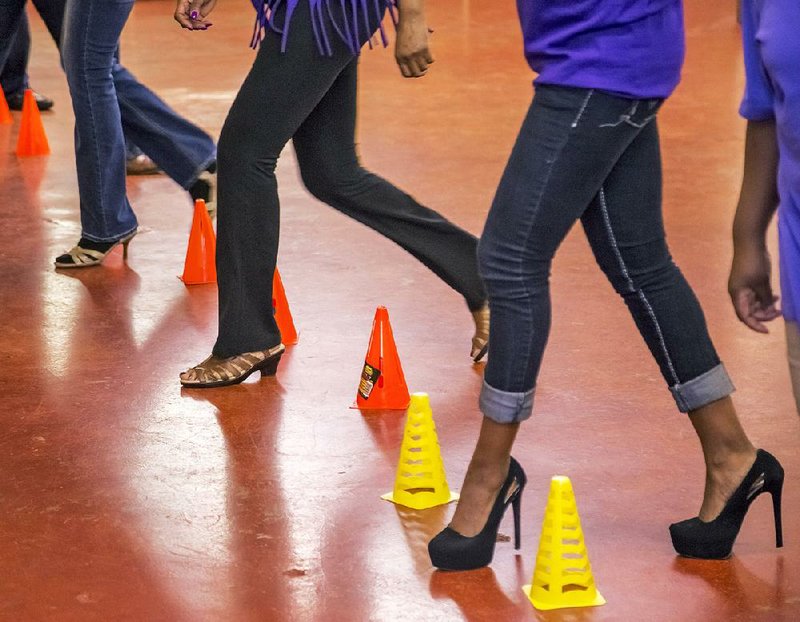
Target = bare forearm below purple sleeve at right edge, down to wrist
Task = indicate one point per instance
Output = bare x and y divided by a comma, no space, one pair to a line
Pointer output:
758,198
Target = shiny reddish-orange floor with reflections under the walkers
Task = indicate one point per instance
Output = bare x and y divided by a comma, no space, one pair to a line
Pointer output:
123,497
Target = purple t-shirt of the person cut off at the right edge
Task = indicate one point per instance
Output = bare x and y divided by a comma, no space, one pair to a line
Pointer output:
771,34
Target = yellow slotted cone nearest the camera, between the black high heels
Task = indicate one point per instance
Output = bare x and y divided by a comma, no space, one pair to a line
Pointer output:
563,576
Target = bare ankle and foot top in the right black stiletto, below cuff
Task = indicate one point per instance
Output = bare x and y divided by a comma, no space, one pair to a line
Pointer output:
727,451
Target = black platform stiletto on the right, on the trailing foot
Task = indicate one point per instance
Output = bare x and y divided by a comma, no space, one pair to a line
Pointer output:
714,539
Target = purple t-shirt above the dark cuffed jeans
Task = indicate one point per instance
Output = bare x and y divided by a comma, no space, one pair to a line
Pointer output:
633,48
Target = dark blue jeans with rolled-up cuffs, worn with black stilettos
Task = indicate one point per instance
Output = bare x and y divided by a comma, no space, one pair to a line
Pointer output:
588,155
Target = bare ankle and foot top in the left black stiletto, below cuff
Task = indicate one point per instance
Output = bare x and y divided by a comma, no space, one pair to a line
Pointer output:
485,476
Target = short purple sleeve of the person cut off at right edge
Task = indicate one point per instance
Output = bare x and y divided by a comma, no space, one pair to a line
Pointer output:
757,103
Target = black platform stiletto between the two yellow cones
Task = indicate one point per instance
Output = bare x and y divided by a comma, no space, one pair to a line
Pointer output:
449,550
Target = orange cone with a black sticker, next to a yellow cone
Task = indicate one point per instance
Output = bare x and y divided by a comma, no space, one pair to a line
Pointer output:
382,385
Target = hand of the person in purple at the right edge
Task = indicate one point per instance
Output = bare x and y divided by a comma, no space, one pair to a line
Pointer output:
750,289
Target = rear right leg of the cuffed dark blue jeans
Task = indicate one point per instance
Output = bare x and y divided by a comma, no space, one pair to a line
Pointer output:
625,228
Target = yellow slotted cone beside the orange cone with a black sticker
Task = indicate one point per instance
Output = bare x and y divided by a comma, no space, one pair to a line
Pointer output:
420,481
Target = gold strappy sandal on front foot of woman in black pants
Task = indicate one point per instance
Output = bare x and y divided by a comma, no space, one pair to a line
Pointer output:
217,372
